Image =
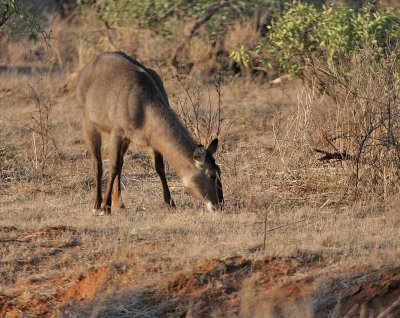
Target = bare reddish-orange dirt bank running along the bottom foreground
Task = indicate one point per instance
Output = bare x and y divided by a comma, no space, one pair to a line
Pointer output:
225,288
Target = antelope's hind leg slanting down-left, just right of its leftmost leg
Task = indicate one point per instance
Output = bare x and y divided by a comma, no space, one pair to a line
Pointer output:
115,166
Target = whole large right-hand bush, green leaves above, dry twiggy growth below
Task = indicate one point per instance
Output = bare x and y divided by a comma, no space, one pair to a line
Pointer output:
354,57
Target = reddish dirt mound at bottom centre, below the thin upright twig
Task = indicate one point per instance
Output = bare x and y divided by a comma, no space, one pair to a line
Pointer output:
224,287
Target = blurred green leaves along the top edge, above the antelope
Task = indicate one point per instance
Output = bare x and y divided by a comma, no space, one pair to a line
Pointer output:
164,15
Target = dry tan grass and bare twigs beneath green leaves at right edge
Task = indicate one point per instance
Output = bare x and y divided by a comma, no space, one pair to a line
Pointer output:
359,127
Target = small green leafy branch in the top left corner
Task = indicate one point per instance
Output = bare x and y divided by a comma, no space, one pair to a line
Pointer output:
16,18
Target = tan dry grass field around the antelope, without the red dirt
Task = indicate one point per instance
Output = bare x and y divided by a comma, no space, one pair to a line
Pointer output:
281,201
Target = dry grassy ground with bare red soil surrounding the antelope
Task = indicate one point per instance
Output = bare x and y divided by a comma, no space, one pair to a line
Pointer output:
292,238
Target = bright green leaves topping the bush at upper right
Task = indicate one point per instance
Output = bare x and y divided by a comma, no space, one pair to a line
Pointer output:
304,33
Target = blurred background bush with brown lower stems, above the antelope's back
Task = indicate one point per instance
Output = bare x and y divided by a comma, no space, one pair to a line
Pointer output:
183,22
